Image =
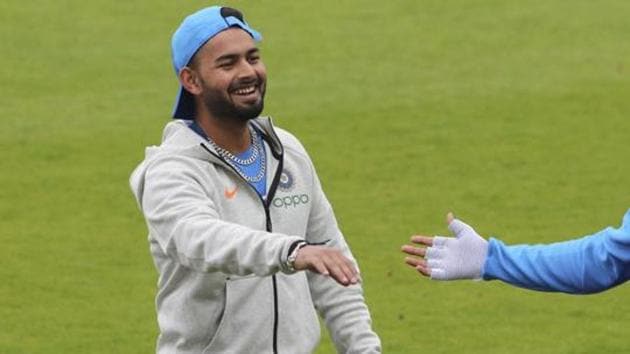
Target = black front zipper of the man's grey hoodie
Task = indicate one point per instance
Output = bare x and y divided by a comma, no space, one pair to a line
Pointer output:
268,224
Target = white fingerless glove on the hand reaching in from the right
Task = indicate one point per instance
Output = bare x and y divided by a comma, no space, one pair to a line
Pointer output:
461,257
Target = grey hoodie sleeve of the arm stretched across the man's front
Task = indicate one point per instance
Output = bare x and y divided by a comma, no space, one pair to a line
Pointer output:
186,224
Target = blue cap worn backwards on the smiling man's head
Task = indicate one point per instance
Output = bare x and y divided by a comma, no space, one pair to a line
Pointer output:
191,35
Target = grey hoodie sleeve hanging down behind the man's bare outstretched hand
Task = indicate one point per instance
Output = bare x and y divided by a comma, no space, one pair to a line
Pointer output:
343,308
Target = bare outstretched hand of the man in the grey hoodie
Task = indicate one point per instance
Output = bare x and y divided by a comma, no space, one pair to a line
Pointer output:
327,261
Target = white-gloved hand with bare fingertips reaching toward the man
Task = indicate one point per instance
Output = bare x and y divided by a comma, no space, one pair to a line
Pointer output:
448,258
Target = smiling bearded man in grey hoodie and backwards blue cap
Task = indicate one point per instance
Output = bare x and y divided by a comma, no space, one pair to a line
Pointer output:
245,242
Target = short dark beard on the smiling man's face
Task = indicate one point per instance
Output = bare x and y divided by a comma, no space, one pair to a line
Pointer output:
219,104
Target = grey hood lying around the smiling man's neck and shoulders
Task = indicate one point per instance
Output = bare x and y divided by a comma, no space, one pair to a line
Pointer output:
178,139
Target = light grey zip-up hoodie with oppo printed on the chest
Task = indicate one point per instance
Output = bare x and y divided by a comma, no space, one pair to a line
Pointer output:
221,251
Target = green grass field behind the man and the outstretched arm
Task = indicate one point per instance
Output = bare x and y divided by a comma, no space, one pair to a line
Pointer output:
513,114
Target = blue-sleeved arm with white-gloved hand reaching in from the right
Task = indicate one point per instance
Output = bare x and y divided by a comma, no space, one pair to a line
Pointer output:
586,265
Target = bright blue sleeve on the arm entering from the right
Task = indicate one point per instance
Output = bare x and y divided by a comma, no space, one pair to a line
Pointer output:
587,265
